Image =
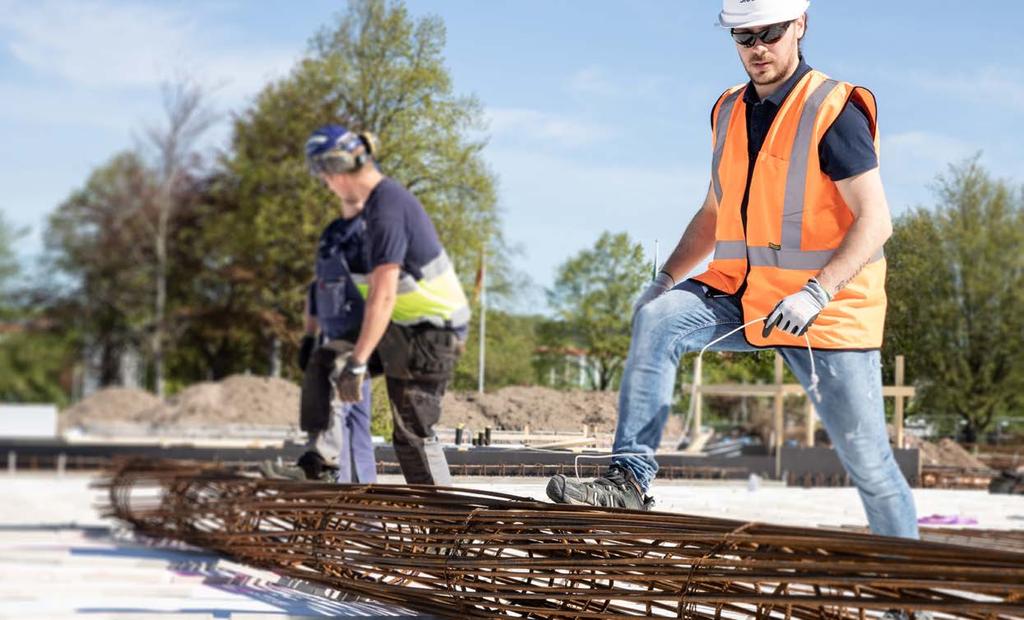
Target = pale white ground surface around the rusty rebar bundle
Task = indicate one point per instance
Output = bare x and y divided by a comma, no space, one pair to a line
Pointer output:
60,558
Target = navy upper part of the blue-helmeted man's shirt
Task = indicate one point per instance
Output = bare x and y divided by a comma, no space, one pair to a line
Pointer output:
399,230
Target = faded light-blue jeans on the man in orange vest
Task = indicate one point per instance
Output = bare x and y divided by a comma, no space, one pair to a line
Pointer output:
685,320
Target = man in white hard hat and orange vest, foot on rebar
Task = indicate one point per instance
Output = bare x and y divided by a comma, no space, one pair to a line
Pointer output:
797,219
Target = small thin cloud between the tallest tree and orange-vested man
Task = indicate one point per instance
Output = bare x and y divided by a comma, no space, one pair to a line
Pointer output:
520,126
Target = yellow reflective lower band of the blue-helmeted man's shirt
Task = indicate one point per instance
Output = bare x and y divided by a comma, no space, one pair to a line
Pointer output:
438,299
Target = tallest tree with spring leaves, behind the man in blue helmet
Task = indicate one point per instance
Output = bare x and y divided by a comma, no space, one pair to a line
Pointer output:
380,70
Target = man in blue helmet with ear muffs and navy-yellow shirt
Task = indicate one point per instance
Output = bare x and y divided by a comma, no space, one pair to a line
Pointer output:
416,315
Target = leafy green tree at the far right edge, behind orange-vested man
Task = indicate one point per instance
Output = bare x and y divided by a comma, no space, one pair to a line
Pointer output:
956,290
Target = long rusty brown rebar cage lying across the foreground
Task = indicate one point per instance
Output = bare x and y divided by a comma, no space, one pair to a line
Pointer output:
485,555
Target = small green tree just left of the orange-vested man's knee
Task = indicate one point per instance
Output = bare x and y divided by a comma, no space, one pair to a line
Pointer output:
593,298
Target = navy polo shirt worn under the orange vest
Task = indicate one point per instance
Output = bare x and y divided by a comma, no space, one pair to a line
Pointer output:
847,148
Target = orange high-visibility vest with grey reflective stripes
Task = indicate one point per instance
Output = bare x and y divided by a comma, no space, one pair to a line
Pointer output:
796,218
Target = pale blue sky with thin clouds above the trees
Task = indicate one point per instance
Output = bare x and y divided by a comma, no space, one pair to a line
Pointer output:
599,110
